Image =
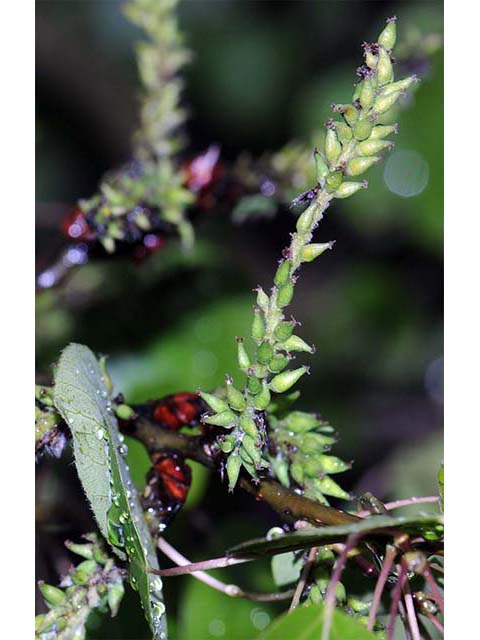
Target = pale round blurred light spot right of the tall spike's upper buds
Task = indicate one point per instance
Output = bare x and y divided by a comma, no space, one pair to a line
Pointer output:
406,173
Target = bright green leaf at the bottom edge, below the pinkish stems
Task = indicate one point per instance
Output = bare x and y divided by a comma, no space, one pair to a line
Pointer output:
305,623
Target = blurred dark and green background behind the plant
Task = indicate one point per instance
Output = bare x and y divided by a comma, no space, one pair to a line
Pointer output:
263,74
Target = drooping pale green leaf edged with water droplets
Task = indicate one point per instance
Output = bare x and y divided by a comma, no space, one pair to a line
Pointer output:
83,400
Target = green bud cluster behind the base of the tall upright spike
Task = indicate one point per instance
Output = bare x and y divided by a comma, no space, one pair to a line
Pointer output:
301,444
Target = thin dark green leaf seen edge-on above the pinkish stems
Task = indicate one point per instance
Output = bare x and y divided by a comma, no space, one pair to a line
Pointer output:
313,536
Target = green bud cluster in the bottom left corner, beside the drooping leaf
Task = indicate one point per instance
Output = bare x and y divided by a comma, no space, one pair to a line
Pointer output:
95,583
